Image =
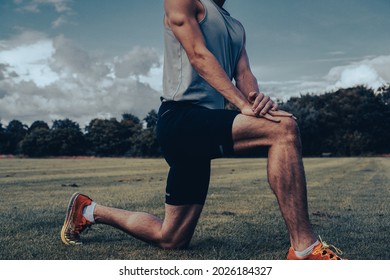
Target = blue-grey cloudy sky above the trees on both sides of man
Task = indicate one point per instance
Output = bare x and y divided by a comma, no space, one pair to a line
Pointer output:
82,59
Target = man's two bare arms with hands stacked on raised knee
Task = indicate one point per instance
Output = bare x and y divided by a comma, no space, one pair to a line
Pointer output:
181,17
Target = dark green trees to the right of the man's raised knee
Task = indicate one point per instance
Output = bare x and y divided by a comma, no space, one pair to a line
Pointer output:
347,122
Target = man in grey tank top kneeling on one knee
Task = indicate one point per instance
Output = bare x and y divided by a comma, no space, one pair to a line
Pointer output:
204,52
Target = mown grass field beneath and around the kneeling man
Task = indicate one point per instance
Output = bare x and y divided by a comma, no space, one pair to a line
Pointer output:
348,201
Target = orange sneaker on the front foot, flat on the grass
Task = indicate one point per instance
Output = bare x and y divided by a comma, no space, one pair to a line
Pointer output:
320,252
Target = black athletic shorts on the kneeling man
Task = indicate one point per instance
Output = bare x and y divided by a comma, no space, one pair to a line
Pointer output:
190,136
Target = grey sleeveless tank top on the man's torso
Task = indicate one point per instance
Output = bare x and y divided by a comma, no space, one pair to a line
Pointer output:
224,37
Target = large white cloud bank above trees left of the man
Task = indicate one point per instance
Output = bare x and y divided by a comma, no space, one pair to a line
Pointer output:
52,78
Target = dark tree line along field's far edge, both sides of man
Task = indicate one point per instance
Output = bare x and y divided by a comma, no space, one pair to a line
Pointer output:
346,122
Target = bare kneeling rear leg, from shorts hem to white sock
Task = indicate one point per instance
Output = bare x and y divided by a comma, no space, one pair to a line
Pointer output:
175,231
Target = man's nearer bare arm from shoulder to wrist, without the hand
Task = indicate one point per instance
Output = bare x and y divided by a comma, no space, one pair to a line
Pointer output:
181,17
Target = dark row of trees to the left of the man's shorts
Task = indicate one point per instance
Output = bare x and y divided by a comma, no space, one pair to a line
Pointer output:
101,137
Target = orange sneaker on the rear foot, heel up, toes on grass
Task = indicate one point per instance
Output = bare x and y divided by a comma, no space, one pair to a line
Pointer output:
75,223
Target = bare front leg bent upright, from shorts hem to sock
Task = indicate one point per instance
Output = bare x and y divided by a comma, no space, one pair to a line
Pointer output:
286,174
